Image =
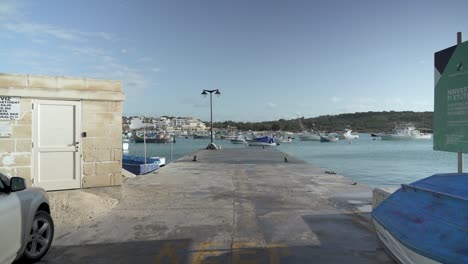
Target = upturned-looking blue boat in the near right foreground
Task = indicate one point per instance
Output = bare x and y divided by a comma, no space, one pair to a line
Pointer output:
426,221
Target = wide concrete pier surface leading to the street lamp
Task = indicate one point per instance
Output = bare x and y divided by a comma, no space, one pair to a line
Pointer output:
230,206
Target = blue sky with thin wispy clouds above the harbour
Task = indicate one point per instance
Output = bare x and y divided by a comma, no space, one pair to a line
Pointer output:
270,59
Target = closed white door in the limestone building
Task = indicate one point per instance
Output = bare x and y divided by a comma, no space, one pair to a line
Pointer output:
56,144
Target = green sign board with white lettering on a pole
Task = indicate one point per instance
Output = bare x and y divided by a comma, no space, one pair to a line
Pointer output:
451,99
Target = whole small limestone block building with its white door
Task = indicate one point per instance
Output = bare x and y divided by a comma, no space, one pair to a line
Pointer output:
60,132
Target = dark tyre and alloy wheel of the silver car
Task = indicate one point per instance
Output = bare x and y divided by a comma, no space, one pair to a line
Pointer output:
40,237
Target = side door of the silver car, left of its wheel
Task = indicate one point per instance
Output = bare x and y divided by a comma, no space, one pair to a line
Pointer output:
10,224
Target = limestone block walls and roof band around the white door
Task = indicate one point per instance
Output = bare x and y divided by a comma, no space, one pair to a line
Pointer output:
101,106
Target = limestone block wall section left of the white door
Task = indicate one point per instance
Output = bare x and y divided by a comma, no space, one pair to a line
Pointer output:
16,151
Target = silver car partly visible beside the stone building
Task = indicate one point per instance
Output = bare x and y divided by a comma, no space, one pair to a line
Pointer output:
26,227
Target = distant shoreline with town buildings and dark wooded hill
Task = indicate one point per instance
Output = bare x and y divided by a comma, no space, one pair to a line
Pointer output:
360,122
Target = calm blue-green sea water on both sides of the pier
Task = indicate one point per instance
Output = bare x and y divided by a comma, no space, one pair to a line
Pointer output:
377,163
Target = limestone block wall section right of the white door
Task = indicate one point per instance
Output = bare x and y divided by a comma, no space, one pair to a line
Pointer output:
102,146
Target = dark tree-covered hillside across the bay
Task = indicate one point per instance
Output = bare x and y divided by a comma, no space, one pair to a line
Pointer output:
361,122
